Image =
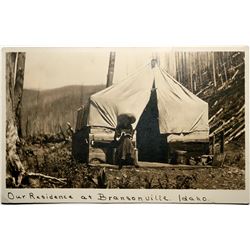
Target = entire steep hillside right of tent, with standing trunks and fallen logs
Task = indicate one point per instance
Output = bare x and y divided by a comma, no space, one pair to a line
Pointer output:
219,79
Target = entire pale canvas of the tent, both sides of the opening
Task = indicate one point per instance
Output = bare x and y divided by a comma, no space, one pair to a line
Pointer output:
181,113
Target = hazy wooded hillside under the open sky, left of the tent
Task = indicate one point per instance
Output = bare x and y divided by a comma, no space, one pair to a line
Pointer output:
45,111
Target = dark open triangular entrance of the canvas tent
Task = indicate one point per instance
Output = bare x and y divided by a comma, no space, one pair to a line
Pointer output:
152,146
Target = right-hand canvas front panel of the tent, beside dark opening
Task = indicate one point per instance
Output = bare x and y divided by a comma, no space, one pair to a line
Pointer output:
180,111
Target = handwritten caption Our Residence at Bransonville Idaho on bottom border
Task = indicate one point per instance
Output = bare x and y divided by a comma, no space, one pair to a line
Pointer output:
100,197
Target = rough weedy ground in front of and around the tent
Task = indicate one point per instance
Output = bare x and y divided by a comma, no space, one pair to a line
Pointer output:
54,159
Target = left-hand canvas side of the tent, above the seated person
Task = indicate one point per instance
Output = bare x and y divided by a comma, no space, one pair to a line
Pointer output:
130,96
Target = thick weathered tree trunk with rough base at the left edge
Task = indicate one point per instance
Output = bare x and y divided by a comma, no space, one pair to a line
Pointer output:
14,88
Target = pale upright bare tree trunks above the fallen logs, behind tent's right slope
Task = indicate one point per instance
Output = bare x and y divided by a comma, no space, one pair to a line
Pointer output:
198,70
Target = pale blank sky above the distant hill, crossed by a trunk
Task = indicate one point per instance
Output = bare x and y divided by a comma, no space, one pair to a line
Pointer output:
48,68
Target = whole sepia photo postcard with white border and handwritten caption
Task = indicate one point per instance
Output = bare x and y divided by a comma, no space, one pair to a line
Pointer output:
141,125
